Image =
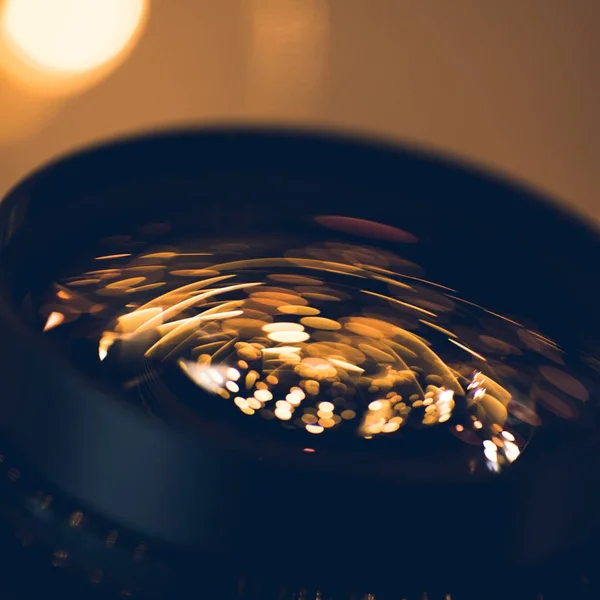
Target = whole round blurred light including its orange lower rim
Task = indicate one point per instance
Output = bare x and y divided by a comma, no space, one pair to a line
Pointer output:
55,47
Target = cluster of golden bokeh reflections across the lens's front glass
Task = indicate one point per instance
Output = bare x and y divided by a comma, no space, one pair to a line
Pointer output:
327,336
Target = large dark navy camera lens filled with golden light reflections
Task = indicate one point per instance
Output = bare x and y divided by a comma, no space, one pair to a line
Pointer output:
293,358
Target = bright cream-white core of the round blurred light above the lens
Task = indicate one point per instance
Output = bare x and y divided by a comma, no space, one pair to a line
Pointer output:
70,36
